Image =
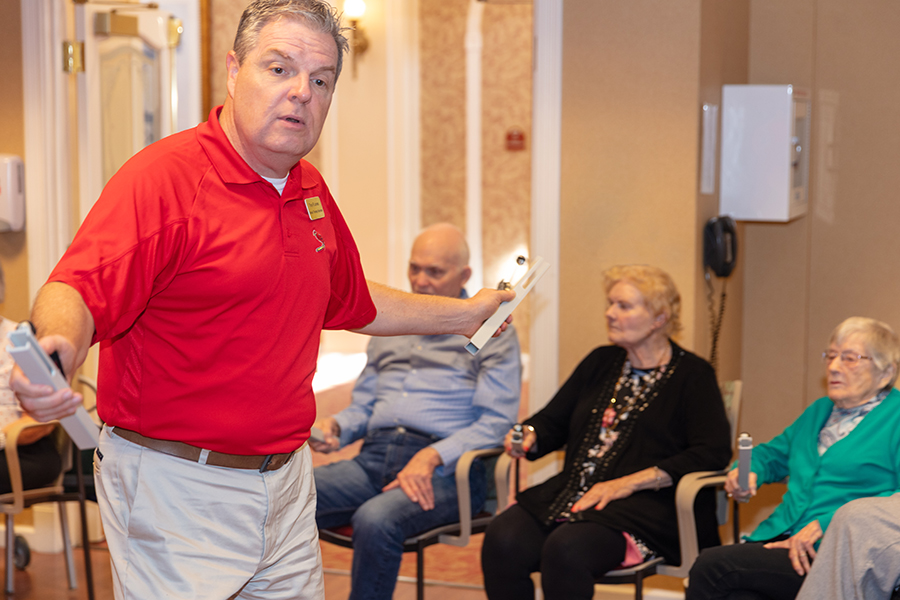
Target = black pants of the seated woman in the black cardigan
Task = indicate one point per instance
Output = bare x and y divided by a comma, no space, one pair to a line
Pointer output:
569,557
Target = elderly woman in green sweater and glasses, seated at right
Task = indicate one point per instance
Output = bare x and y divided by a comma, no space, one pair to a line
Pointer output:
844,446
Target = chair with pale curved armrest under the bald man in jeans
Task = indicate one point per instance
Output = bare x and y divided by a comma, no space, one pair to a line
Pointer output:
455,534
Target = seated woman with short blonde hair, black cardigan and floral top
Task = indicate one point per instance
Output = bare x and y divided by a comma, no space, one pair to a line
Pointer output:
634,418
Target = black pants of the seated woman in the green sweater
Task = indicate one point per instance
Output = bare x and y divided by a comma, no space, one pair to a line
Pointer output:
743,572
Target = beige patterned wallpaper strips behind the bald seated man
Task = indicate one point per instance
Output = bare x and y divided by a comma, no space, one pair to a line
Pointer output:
506,104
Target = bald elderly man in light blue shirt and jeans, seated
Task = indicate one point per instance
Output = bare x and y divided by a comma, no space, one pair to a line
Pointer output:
420,402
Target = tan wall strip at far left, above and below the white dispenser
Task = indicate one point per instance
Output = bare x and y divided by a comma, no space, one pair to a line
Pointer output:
13,254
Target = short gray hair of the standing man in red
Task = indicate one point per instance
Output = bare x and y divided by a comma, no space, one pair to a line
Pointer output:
318,15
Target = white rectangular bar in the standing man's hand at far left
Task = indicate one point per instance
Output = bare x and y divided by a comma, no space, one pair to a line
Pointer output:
39,368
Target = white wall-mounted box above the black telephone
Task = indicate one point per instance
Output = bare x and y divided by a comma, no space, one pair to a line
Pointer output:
764,170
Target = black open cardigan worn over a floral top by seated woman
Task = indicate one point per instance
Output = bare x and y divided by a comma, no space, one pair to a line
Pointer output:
684,429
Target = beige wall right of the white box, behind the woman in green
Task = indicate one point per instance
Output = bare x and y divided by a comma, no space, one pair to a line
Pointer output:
804,277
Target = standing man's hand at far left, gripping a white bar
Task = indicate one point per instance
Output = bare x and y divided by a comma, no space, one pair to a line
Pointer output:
40,401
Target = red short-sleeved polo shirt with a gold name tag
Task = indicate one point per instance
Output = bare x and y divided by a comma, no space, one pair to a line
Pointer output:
209,292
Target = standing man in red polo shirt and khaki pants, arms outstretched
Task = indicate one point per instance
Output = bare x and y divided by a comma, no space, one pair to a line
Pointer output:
206,271
